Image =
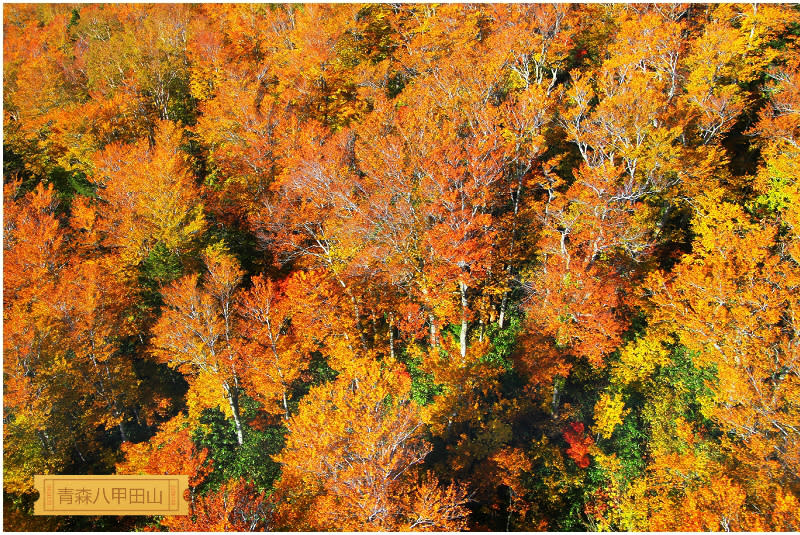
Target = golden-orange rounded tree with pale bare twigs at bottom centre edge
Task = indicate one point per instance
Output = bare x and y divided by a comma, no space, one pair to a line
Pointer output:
355,471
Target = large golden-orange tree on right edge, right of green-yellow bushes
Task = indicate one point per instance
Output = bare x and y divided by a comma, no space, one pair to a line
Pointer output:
731,301
